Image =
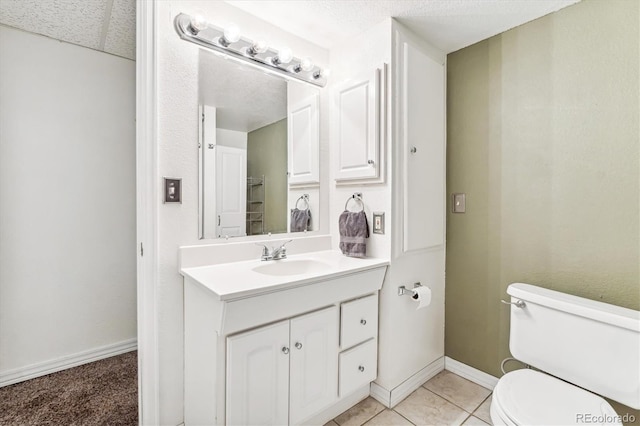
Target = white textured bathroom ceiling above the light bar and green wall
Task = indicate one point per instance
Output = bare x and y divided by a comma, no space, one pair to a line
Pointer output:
447,24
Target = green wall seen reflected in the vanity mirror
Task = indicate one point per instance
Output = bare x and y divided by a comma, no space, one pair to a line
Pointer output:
267,155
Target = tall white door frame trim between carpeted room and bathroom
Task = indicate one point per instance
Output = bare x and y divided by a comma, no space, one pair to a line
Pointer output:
147,211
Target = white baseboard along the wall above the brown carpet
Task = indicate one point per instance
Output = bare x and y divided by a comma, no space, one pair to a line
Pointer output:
32,371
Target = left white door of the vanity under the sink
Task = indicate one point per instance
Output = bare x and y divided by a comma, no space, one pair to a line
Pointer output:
258,376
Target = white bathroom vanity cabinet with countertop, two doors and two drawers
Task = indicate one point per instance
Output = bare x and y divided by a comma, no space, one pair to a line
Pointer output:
280,342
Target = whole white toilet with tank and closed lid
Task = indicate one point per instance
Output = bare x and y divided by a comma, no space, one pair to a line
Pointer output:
585,343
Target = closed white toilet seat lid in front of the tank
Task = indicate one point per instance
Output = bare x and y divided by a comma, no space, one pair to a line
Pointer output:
528,397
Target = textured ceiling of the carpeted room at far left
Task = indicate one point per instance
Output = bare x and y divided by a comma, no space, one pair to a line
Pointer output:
105,25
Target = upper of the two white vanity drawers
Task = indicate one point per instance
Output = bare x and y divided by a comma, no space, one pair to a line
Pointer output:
359,321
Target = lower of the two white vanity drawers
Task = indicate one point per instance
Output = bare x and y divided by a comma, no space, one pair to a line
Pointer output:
358,366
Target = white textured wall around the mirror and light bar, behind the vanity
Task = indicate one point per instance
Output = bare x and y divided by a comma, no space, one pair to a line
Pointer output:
177,97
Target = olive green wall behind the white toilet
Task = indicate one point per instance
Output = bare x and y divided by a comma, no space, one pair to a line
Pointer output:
543,137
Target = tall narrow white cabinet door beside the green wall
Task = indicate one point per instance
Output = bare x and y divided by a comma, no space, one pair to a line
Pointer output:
422,106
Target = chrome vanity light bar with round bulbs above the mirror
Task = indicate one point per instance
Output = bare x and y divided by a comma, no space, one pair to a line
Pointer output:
197,30
